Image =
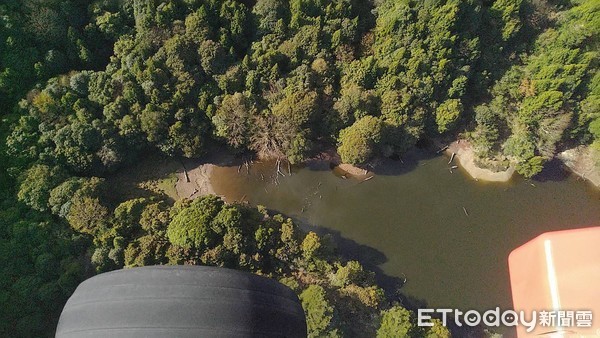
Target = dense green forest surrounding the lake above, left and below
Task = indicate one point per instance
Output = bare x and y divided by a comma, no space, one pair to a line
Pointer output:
87,87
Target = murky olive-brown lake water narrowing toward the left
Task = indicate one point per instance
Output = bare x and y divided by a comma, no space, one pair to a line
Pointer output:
410,221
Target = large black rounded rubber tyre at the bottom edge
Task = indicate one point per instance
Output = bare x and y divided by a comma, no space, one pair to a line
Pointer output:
181,301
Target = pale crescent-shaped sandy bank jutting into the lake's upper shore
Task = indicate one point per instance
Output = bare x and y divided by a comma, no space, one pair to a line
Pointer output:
466,158
